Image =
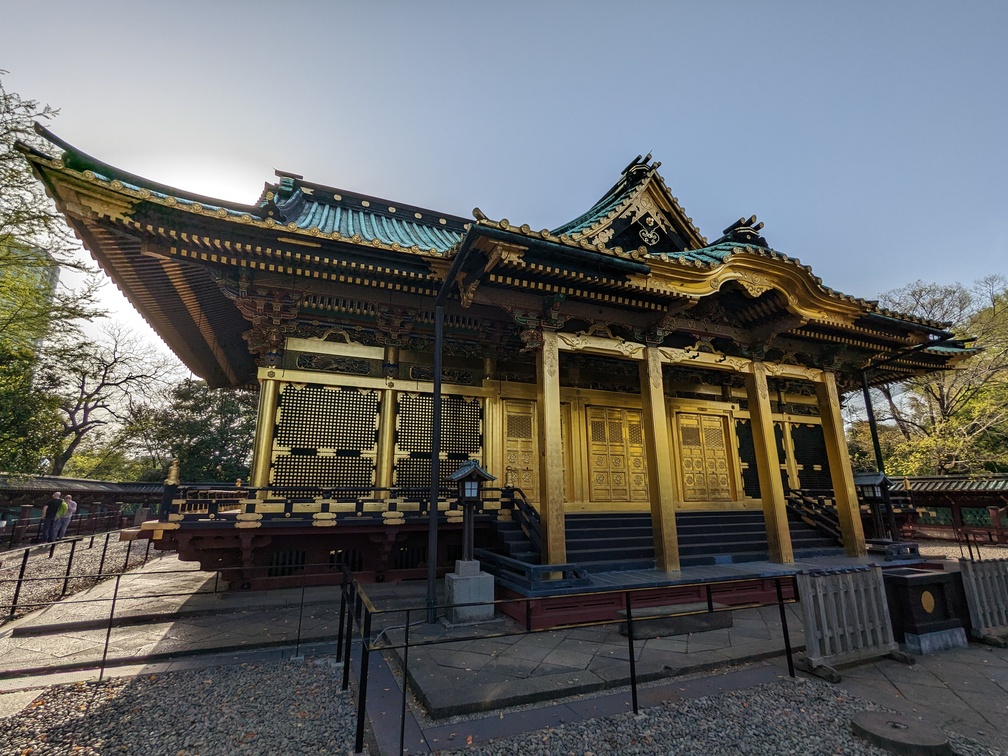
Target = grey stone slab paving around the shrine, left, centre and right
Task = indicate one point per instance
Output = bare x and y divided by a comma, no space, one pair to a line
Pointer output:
965,690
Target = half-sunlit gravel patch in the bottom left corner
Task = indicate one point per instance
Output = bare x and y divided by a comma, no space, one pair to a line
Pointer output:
271,708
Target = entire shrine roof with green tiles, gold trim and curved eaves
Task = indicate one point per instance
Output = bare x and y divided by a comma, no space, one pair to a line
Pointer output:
202,271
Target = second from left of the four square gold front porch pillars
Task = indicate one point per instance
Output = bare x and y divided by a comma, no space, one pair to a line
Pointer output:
662,484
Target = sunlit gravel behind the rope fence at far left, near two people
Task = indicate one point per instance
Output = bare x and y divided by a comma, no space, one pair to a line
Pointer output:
48,574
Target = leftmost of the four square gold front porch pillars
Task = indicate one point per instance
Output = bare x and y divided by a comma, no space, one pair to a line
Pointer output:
548,408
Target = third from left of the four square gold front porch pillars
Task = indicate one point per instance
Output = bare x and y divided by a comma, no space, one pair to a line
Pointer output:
769,466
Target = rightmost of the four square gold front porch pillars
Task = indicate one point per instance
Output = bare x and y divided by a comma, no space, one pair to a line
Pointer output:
848,510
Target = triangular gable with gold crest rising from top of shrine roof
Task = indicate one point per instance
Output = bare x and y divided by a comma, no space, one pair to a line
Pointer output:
639,211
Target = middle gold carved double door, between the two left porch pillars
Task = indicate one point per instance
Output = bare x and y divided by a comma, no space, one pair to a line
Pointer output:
617,471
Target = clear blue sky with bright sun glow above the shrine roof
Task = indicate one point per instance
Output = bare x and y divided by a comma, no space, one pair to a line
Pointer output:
869,137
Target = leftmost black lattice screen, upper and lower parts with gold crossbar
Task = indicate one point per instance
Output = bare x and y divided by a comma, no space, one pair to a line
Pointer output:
326,437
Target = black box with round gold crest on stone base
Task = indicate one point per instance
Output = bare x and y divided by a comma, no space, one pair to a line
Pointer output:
927,609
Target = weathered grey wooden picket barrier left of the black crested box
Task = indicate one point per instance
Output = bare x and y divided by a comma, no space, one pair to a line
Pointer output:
847,617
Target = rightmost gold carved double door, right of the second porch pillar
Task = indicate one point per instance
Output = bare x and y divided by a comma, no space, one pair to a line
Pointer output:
706,467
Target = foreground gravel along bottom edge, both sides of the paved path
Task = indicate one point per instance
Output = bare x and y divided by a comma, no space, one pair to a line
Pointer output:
298,708
